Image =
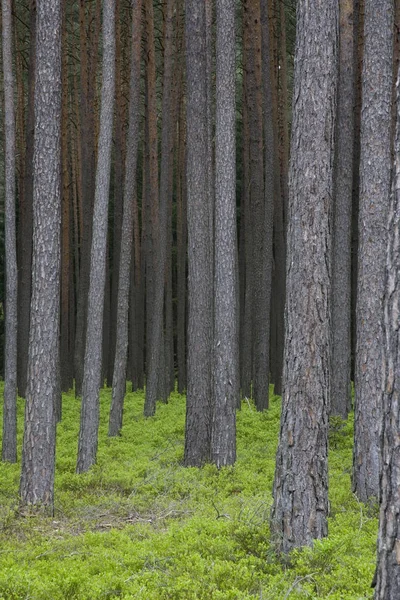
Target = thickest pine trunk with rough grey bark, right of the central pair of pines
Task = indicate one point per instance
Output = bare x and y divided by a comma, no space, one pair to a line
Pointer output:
300,492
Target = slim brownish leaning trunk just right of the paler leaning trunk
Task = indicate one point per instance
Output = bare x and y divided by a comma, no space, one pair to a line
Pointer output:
130,191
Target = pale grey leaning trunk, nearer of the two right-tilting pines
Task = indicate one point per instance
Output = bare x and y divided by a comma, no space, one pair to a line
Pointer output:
88,434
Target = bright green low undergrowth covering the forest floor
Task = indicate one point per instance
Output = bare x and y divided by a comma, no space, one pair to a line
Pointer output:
141,526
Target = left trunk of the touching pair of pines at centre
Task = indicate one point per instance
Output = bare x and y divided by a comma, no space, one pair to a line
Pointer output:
198,402
